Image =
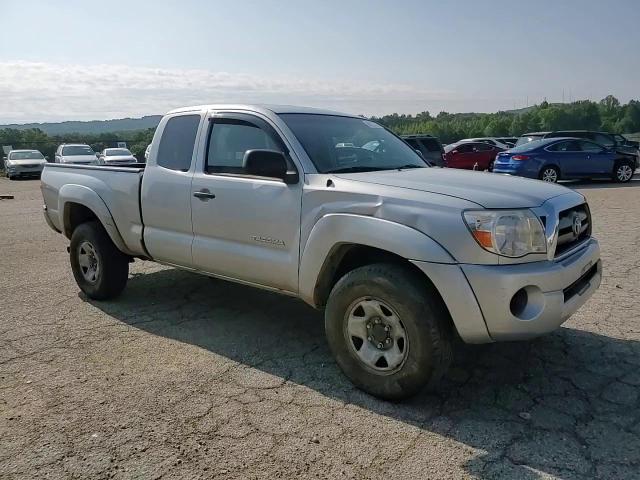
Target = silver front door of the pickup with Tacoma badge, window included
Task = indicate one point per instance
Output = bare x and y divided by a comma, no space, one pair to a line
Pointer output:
245,227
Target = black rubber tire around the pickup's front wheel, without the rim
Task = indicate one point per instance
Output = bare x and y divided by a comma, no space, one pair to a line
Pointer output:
422,313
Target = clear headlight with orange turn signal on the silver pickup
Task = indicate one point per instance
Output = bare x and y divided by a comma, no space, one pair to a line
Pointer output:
512,233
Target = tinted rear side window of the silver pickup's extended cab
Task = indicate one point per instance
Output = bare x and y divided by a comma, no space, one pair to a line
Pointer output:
177,142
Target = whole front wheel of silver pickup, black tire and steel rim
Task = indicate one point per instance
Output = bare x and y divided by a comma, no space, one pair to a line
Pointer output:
389,330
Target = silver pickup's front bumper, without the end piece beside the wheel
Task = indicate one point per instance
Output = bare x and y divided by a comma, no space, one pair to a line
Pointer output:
555,290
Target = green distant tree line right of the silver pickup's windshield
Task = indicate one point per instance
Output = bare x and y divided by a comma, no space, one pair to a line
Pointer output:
607,115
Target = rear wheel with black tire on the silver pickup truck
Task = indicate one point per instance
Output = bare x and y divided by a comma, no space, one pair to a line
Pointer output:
111,276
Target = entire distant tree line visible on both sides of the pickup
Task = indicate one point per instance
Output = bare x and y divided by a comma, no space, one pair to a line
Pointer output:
606,115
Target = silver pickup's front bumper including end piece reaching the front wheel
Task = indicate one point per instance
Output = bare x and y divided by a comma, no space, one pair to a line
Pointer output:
479,297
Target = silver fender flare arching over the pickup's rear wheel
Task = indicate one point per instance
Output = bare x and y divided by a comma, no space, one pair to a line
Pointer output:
88,198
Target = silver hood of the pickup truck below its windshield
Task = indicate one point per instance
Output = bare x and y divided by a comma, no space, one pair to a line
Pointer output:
489,190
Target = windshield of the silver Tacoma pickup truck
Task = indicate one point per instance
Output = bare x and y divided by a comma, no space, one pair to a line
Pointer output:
347,144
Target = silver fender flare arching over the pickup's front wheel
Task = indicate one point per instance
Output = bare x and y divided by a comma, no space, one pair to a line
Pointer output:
336,229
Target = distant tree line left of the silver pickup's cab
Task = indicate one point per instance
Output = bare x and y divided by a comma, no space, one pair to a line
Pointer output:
136,140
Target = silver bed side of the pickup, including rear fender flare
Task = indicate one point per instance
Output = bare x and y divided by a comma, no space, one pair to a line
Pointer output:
111,192
